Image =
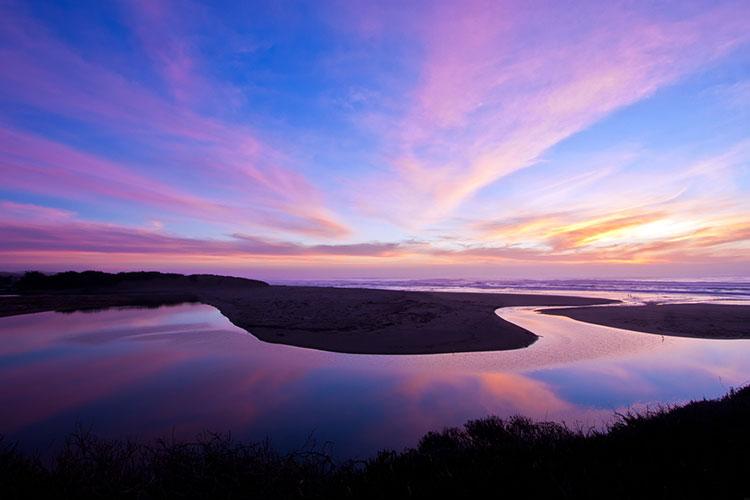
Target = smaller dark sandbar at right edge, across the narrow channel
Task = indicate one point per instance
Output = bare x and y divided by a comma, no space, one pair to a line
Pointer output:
708,321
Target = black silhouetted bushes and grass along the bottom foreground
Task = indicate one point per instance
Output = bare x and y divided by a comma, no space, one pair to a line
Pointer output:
700,450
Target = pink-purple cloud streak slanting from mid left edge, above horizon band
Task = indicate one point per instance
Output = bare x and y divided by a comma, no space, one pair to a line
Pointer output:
41,166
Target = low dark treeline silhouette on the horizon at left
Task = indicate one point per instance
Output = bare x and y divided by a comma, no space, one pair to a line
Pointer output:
35,281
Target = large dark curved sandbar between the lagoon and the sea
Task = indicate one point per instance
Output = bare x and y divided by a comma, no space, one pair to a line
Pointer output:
358,321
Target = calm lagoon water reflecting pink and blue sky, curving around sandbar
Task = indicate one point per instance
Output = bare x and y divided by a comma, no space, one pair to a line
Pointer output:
183,369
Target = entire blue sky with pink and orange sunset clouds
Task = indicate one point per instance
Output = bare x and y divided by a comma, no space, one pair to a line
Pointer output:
438,139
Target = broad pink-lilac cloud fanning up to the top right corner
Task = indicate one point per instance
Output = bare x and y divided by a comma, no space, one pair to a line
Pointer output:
503,82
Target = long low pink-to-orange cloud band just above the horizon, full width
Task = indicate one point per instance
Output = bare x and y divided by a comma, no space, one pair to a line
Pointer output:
37,234
